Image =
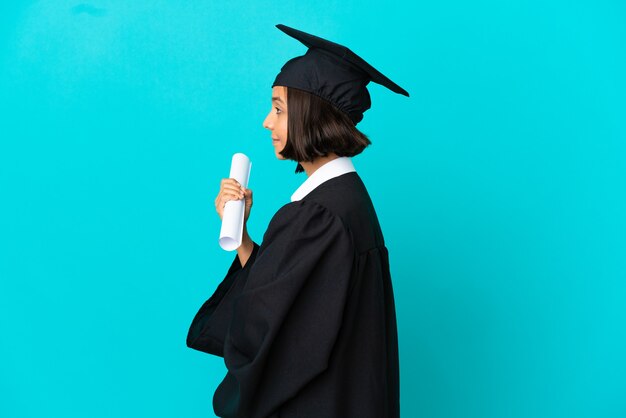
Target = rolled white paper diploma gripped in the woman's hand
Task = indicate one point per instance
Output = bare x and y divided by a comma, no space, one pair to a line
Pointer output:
234,210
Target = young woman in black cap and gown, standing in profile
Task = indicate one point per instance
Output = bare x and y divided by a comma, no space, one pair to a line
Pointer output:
306,321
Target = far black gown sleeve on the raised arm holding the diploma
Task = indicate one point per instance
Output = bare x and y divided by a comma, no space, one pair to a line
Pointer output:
208,328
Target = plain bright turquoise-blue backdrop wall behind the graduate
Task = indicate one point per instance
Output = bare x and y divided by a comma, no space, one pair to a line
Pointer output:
500,185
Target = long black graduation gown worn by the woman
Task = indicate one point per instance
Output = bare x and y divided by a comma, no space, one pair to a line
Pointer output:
308,327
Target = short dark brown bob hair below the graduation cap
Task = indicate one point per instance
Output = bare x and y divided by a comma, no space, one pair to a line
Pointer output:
315,128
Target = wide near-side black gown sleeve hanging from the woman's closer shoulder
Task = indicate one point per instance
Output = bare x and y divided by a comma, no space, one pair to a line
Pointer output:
288,316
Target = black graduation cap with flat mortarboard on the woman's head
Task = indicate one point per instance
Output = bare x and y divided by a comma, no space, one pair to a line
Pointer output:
332,72
